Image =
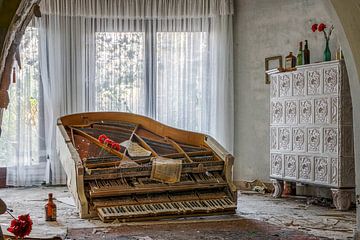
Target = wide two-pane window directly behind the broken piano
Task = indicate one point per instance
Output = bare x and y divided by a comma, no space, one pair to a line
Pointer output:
162,74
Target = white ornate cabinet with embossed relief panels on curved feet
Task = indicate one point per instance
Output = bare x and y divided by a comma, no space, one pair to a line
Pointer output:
311,134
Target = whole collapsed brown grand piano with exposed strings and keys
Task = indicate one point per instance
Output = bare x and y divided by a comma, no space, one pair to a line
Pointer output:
159,171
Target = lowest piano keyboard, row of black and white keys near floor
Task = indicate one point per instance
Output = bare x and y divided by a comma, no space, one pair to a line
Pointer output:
108,214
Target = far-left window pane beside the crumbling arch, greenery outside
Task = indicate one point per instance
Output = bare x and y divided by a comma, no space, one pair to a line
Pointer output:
19,143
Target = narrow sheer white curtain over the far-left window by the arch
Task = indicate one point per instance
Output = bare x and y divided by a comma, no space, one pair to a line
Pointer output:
22,148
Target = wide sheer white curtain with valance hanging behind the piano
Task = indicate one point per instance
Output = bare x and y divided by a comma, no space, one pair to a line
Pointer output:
168,59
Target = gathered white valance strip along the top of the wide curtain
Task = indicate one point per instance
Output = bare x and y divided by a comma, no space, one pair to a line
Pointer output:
138,9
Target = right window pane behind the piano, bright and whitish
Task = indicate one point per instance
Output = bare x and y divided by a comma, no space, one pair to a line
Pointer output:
182,79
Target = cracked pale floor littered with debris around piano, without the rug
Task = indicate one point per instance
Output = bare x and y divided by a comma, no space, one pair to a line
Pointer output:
290,213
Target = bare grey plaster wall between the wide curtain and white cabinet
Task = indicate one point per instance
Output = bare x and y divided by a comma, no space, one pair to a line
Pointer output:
264,28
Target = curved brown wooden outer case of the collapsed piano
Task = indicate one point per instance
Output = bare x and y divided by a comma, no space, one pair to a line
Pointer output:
74,166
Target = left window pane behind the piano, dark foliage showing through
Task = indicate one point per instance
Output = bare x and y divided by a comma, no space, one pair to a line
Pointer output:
119,81
